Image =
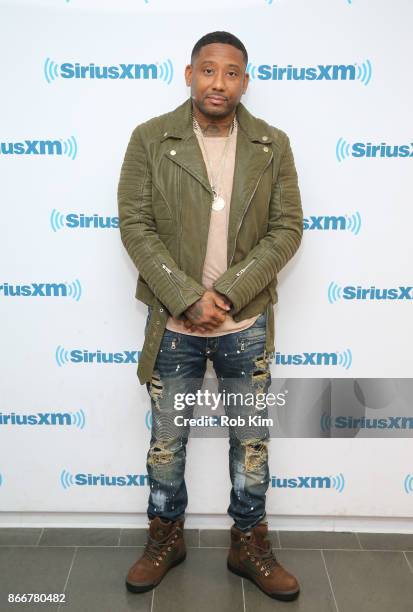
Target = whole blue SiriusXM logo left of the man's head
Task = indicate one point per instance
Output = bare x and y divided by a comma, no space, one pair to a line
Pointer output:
162,71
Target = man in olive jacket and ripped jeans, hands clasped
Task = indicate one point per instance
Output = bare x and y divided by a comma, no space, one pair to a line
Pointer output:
209,211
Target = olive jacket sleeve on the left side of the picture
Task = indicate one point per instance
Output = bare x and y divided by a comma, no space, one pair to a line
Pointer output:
171,286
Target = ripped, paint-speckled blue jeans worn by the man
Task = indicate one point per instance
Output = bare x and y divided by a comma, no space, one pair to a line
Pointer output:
242,367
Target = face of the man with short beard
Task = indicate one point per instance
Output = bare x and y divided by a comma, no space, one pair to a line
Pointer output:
217,79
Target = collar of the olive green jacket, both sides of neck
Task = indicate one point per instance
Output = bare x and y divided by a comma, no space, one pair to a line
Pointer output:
179,124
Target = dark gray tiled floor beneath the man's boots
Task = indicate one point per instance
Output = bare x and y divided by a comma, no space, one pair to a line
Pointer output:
338,572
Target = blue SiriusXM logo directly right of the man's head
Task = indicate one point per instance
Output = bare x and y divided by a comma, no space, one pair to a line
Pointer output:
321,72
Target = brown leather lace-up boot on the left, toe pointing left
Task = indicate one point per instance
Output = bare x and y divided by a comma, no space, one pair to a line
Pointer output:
164,549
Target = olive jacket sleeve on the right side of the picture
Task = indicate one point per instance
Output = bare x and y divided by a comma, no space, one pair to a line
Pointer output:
246,279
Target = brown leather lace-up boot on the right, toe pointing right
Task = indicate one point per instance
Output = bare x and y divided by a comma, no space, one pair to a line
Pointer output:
251,557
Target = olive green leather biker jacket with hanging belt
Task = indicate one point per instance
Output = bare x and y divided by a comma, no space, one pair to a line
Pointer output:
164,199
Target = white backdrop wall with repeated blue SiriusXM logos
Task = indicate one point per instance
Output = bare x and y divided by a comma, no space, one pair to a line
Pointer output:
66,290
